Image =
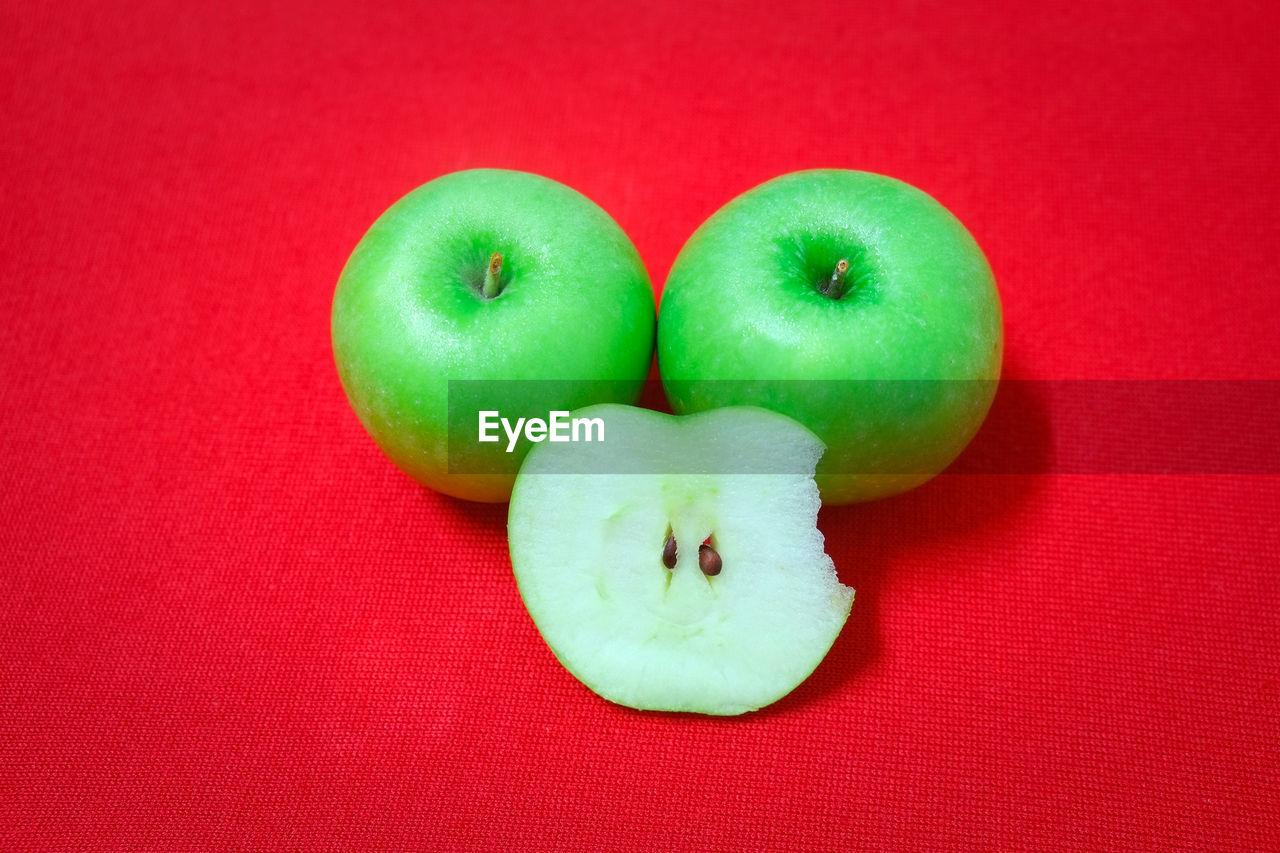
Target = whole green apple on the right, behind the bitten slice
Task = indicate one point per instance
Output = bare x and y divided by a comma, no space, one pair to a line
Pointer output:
895,377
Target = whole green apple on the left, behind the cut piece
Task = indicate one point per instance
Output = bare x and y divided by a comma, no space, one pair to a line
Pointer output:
409,317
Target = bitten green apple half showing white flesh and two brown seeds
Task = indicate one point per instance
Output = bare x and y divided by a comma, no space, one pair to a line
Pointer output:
678,564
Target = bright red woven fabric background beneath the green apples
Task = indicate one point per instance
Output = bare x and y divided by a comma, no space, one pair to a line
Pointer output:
226,621
